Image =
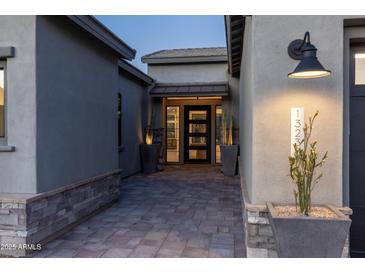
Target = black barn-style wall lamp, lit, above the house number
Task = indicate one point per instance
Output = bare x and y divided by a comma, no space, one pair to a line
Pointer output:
309,66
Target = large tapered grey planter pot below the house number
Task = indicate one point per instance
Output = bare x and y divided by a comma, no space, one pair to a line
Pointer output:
306,237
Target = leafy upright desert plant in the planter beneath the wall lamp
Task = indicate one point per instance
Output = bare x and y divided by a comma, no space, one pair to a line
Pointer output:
303,164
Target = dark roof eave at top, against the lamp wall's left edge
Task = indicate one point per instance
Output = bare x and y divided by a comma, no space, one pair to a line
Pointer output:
235,27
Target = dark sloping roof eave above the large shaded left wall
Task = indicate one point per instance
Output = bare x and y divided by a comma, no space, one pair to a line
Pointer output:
102,33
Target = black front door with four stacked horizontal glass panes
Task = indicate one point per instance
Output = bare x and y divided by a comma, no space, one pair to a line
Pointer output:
197,123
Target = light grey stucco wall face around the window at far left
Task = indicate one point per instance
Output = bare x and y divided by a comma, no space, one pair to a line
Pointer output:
17,169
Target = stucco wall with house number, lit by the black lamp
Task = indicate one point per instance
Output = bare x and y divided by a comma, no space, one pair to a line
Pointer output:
273,94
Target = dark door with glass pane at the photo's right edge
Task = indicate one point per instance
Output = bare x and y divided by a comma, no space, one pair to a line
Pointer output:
357,151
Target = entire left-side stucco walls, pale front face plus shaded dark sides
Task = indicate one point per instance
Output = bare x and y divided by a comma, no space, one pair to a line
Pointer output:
61,102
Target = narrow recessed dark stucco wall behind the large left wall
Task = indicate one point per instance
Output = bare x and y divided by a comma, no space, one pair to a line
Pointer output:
134,122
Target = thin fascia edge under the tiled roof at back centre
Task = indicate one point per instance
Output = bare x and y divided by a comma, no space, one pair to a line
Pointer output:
190,59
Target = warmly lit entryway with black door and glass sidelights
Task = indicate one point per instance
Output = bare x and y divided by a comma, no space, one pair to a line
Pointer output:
193,130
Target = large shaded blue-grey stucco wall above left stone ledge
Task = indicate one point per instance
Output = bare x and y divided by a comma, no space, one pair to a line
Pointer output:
77,86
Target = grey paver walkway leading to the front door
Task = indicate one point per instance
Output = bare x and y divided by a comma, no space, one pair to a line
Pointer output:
189,211
